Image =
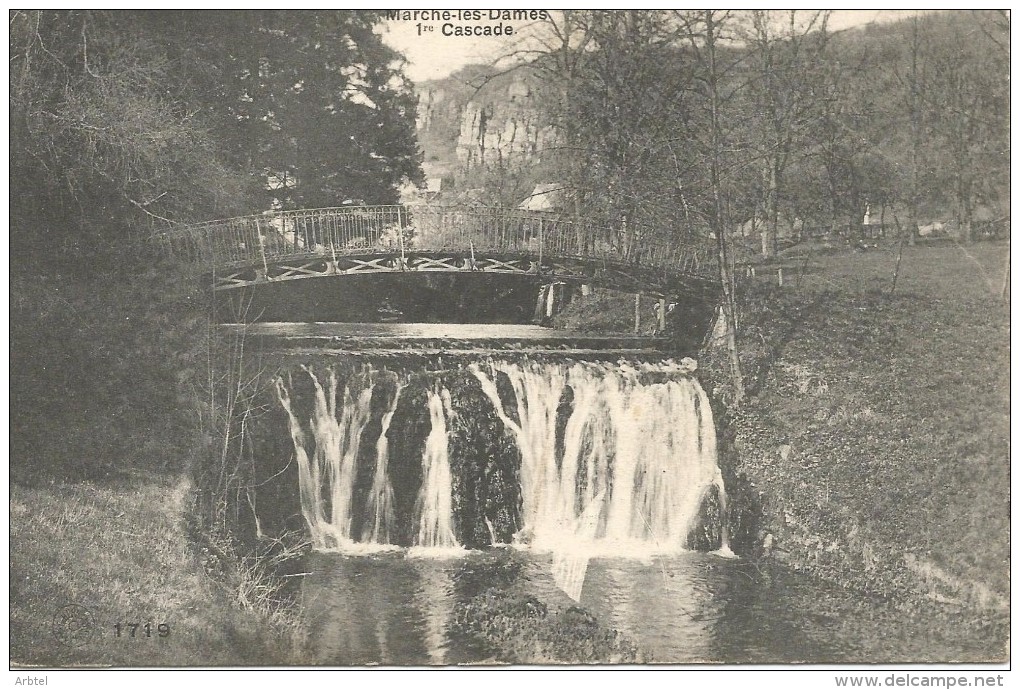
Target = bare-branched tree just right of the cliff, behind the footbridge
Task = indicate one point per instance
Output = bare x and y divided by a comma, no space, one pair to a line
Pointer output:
618,98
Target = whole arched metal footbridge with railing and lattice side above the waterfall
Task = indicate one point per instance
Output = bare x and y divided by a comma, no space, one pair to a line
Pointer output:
294,245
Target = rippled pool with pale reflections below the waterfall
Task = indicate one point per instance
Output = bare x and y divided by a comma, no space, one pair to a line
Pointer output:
692,608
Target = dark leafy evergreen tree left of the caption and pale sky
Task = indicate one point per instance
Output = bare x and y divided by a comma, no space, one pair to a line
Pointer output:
312,105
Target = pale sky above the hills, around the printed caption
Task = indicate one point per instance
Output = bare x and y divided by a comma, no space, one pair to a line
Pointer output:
432,56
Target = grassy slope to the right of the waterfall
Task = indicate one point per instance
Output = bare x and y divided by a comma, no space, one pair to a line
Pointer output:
878,433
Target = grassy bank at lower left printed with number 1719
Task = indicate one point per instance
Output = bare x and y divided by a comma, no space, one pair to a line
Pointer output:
122,552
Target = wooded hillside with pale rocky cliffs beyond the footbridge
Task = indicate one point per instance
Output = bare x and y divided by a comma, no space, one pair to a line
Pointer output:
851,124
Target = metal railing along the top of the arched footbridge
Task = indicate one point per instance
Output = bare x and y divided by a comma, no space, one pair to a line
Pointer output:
363,230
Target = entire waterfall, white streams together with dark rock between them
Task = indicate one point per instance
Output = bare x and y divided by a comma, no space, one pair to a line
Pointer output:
614,459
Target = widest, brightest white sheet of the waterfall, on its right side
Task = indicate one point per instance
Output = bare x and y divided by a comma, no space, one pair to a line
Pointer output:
639,453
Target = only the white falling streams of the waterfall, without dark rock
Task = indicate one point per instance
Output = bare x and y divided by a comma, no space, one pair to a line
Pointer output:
616,460
